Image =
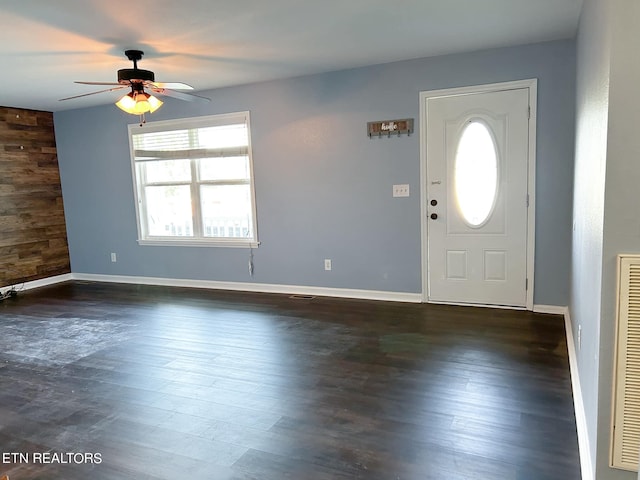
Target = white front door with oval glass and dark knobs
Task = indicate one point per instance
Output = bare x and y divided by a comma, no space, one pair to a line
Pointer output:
477,197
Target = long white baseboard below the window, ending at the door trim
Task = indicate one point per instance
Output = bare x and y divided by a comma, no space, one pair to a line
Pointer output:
256,287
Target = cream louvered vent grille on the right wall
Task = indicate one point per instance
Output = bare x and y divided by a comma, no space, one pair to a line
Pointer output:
625,436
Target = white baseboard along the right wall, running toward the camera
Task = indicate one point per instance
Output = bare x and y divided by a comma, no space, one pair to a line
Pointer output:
586,464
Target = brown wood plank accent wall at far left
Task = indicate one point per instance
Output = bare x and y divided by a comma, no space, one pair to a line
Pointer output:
33,236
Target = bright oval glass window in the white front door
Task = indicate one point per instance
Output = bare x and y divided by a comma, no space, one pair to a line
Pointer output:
476,174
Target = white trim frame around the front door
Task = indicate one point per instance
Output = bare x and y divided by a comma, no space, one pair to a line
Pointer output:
532,86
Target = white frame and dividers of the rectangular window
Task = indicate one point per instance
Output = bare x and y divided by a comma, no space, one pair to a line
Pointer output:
198,239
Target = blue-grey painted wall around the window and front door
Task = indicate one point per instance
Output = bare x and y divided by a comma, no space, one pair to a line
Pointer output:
323,188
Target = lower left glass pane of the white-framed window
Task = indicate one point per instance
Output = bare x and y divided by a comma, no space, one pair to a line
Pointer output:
169,211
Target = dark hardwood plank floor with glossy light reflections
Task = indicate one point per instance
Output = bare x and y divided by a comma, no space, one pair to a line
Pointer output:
106,382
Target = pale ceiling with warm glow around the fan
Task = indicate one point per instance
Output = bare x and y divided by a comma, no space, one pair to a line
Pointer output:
46,45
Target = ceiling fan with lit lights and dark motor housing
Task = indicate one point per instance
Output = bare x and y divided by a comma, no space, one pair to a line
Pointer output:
138,101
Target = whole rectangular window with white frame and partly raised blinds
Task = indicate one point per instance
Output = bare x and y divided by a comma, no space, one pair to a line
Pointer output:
194,181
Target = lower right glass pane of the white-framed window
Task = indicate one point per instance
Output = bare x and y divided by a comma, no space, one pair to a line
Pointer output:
226,211
